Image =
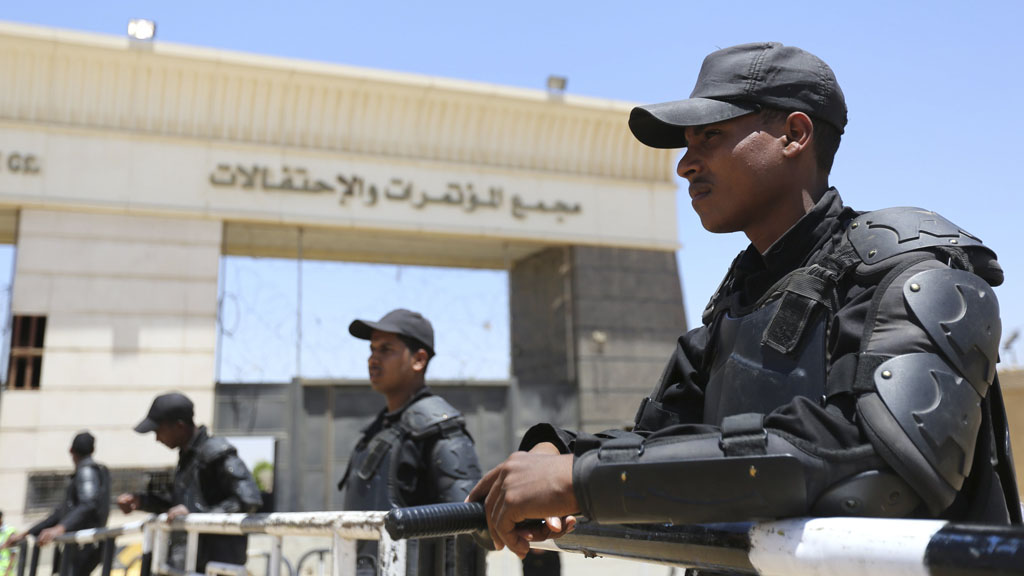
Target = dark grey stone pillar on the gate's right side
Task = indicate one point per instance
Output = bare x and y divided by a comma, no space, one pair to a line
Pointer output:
592,330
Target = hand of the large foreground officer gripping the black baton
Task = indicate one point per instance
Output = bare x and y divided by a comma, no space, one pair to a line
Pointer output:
528,486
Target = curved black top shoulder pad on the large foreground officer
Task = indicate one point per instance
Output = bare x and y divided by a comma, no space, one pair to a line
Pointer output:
883,234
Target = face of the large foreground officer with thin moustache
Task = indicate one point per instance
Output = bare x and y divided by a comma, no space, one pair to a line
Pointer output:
739,180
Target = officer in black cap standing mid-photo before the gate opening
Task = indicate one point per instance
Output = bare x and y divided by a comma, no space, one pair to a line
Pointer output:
416,451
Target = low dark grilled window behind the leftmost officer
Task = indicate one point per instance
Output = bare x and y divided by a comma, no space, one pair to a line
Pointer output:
47,490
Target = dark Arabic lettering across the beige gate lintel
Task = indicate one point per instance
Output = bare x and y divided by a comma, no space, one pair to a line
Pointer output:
354,189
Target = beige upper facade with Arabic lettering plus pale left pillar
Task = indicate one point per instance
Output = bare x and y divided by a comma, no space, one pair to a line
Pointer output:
129,170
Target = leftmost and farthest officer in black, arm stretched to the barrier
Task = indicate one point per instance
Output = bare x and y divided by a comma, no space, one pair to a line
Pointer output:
87,505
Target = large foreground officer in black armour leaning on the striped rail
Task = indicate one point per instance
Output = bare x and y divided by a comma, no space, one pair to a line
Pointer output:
846,365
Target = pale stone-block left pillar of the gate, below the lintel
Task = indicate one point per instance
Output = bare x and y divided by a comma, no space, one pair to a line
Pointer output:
132,307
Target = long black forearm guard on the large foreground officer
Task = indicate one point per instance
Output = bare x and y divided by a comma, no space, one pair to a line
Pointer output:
689,480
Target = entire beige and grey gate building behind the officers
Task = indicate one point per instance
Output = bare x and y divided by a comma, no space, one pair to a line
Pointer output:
129,171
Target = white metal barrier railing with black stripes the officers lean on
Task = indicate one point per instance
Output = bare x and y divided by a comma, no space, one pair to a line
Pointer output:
839,547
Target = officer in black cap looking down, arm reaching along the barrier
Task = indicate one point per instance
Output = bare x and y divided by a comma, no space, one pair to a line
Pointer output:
210,478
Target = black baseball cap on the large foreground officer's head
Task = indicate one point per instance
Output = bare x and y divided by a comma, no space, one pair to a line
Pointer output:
741,80
